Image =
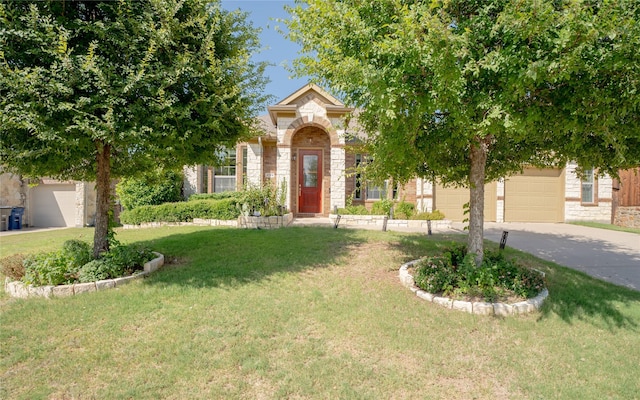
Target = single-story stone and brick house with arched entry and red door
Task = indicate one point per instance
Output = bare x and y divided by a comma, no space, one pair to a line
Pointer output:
304,145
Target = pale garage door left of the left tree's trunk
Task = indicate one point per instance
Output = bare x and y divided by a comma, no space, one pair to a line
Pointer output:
53,205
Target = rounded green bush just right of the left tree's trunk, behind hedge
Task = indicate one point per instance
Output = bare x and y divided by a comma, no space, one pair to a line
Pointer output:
152,188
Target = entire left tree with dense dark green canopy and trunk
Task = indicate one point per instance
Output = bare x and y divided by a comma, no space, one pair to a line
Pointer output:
95,90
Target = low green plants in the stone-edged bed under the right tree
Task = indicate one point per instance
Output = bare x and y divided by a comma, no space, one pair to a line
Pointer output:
454,274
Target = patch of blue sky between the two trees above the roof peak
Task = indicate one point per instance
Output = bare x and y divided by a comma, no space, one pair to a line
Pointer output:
277,49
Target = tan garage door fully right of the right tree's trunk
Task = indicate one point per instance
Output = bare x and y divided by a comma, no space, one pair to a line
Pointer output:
537,195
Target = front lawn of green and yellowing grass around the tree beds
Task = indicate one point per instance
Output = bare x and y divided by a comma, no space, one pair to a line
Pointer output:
311,313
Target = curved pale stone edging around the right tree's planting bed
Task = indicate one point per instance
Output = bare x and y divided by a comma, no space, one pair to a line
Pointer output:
481,308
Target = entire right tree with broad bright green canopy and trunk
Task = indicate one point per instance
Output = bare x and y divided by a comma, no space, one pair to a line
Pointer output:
466,92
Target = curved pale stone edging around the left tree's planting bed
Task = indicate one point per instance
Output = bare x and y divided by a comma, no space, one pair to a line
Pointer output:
19,290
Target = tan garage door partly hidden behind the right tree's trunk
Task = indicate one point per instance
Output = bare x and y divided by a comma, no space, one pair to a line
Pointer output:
451,201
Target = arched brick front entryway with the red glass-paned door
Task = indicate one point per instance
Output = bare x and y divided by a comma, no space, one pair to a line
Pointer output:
310,171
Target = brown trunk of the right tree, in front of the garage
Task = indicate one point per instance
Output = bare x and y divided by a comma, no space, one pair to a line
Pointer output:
475,245
